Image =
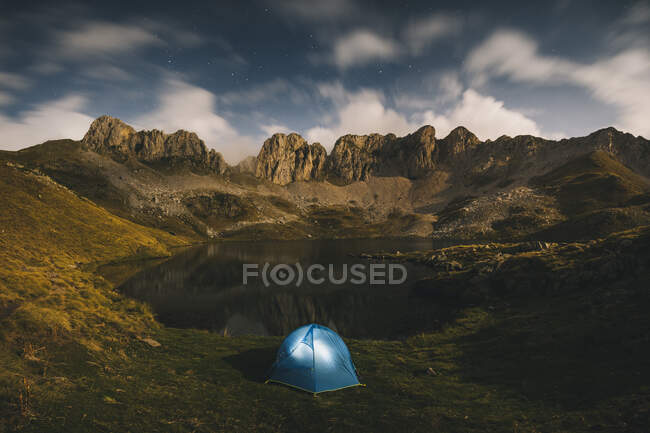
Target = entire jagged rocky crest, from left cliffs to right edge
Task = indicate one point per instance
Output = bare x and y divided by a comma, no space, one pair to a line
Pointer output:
285,159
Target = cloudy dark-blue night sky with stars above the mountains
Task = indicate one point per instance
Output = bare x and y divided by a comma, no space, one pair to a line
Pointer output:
236,72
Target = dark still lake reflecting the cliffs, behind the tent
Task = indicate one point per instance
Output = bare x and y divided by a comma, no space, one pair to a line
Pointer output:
202,288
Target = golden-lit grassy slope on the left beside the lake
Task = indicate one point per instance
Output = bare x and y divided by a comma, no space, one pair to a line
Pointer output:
48,239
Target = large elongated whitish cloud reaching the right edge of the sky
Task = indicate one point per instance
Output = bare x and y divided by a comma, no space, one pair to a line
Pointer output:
622,79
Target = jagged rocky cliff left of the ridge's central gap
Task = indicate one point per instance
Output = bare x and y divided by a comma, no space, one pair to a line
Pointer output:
109,135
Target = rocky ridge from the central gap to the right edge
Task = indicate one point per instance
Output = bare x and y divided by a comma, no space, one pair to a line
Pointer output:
418,155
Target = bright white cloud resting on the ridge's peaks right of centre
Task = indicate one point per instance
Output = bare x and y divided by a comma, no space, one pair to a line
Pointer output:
483,115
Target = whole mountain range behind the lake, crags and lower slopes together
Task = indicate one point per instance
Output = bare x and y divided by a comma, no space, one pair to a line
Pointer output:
372,185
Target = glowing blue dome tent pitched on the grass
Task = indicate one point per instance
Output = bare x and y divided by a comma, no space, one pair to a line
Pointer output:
315,359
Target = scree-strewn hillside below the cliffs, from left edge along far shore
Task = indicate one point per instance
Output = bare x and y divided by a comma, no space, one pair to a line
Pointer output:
181,200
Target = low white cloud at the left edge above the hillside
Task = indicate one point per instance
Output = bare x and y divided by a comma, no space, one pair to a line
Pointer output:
62,118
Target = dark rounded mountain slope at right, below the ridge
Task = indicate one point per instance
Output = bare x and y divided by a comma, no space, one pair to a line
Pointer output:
589,196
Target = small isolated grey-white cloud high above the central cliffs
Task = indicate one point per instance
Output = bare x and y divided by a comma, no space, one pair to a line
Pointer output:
361,47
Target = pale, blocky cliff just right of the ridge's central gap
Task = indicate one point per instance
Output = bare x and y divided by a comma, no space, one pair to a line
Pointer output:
289,158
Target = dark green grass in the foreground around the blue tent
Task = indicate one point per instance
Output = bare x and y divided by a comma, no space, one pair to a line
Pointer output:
514,369
